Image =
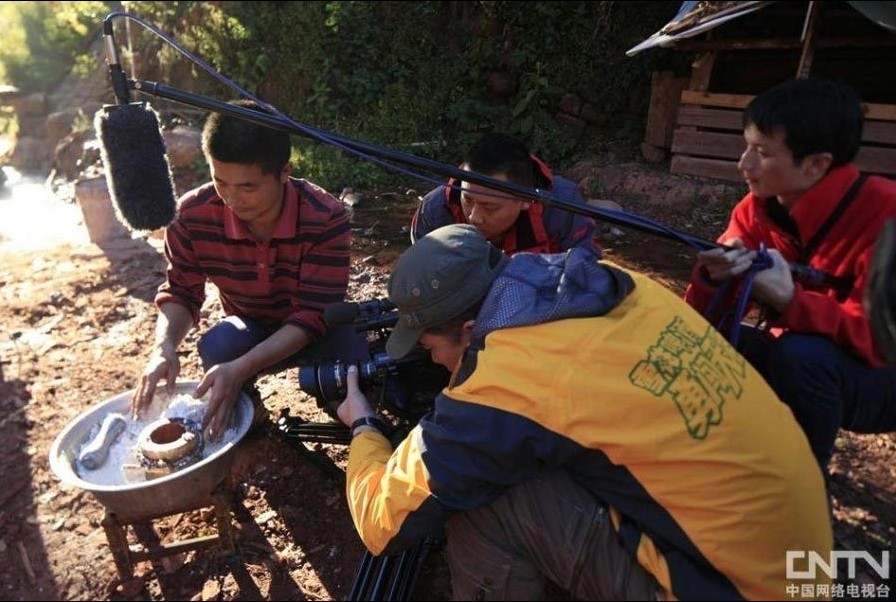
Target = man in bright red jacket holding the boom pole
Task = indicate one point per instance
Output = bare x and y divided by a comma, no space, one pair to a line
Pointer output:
809,205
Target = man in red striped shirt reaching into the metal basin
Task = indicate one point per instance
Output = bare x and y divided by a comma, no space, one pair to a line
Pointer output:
276,248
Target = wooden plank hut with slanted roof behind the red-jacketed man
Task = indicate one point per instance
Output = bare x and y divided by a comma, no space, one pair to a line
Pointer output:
739,49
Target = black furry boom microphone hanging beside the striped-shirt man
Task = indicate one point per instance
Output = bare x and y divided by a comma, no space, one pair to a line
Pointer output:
133,153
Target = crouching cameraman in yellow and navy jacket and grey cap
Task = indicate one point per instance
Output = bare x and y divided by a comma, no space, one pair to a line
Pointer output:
596,432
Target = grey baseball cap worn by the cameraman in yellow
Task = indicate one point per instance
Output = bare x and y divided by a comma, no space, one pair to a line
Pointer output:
438,278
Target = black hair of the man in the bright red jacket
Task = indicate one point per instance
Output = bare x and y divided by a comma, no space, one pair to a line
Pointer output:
816,116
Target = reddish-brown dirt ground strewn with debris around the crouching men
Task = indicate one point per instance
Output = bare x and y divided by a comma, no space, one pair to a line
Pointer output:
75,322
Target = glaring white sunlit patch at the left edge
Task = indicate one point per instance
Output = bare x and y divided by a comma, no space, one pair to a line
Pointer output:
31,217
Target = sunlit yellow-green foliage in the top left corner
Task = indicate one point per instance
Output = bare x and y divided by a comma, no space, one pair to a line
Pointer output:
41,40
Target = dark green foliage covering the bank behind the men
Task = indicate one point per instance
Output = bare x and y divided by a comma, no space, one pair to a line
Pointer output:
414,76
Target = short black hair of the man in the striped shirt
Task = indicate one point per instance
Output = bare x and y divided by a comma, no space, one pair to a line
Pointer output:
234,140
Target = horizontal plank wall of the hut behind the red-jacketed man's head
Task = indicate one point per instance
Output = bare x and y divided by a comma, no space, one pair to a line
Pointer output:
708,137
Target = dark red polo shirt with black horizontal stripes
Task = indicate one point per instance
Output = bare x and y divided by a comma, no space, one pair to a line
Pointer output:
287,280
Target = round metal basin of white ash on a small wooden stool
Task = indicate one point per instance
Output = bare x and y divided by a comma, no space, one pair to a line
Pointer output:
185,489
